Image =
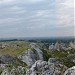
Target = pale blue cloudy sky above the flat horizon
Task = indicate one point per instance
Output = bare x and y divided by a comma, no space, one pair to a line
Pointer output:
36,18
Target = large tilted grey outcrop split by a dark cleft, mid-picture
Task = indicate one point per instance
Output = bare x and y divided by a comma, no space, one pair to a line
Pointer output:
31,55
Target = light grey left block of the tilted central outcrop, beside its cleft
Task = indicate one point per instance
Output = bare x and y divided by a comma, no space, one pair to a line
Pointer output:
28,57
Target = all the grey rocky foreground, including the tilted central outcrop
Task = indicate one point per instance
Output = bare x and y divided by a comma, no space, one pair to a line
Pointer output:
34,58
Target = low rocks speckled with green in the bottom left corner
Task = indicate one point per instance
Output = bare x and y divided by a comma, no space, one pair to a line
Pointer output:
19,70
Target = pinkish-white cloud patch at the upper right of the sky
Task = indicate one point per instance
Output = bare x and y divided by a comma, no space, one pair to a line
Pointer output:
65,12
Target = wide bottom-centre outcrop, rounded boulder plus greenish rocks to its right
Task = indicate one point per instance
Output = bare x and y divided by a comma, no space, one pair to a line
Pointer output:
43,68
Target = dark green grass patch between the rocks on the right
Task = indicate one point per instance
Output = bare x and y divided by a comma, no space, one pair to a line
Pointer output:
60,55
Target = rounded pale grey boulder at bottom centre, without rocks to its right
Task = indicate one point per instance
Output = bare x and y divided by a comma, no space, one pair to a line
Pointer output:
38,68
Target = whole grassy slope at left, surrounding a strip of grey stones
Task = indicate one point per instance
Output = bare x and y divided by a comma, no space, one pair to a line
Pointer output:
14,51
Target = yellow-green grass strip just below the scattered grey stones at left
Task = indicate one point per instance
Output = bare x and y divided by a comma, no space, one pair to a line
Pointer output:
13,51
